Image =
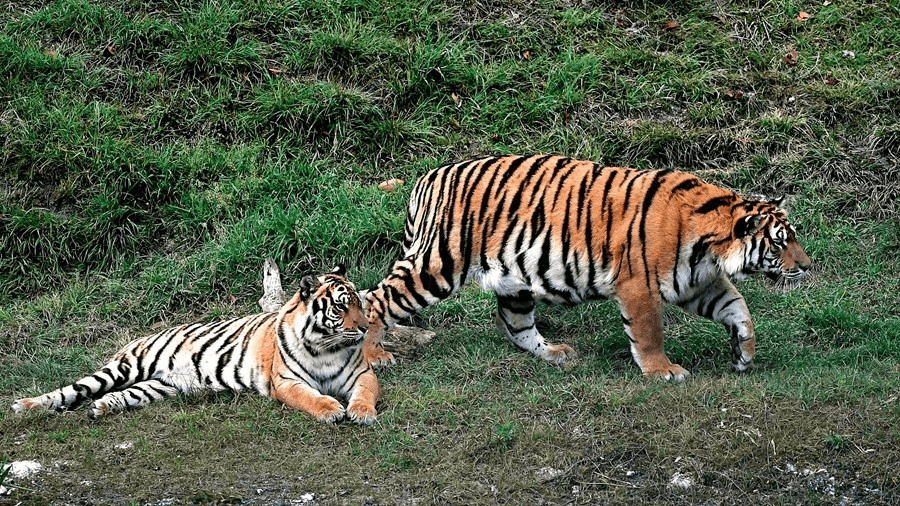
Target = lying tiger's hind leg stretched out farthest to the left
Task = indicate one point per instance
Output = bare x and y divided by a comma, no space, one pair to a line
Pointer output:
111,377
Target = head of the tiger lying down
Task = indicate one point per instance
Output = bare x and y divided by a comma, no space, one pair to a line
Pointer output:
336,315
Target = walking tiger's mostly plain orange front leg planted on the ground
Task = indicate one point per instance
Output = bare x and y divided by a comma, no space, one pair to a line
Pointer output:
643,326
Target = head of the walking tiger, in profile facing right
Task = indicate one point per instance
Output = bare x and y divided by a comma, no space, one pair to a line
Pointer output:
769,244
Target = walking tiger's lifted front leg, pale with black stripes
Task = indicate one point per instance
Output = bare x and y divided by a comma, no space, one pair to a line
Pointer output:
722,302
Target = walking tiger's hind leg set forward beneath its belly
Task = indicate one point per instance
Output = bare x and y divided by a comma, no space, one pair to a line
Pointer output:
515,320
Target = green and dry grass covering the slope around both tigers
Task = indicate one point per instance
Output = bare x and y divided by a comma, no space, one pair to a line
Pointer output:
153,154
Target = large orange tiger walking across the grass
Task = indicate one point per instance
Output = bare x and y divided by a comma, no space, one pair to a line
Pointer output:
564,231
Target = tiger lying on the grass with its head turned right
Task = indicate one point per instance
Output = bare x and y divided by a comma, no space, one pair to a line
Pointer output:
300,355
